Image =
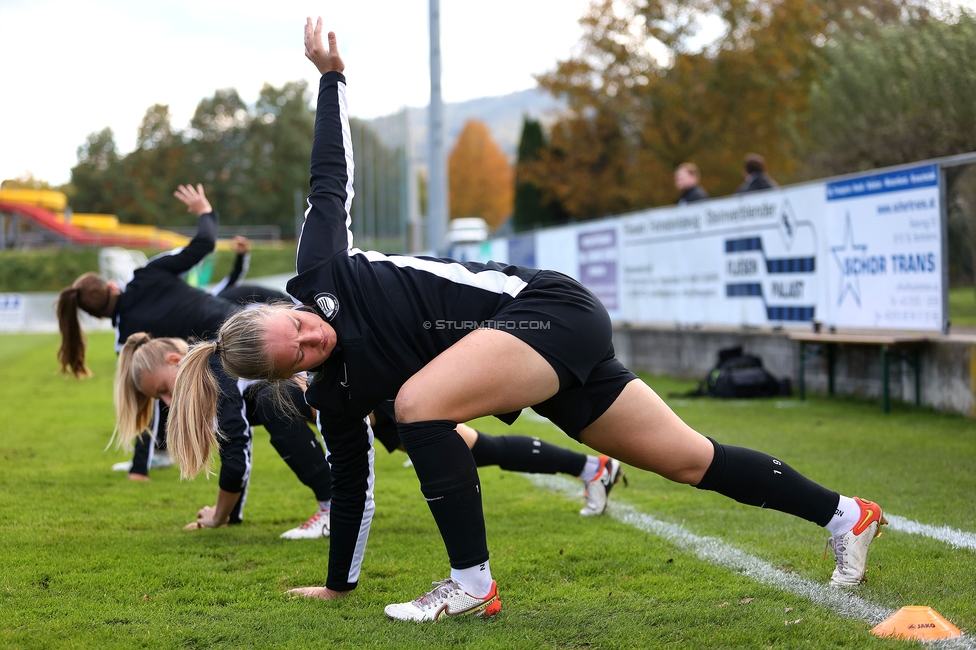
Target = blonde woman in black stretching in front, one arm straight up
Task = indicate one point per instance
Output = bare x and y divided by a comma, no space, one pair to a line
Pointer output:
377,327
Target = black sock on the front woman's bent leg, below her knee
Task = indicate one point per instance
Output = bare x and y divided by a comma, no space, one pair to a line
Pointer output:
449,480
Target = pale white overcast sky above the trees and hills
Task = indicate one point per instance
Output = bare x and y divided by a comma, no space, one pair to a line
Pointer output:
72,67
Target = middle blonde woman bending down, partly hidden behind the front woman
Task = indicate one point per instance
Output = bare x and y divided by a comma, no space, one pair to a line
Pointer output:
146,370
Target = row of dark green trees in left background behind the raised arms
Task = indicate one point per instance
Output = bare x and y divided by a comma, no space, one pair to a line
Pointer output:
249,159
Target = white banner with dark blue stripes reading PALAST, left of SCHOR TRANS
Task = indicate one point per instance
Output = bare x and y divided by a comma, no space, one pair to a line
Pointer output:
745,260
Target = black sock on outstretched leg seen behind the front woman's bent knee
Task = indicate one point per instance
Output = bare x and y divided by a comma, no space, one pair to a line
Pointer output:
525,454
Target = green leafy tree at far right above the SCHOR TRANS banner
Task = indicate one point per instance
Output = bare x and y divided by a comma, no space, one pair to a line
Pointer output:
906,93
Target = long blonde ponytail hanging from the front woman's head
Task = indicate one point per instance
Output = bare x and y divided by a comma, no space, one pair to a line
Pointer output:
192,433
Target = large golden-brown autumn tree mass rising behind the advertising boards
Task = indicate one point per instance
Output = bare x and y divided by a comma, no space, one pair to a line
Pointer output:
645,94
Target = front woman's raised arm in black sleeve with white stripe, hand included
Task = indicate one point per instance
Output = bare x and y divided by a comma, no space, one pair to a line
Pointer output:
326,232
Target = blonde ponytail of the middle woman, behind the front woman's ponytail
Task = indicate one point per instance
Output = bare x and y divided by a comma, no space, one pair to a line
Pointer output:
141,354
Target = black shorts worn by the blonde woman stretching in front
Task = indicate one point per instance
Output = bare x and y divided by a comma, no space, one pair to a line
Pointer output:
564,322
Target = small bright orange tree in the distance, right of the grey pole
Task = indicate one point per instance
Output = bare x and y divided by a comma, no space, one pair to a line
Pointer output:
480,177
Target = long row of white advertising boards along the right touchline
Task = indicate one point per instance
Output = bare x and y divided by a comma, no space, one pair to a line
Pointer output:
860,252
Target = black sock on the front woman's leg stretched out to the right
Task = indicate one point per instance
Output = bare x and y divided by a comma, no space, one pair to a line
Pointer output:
757,479
